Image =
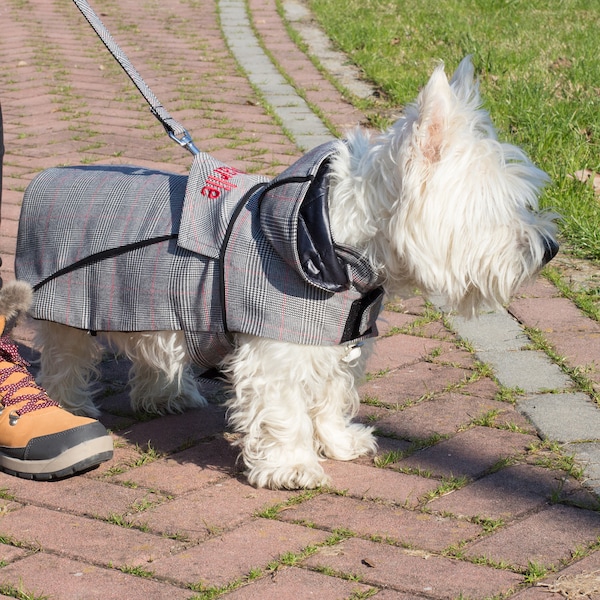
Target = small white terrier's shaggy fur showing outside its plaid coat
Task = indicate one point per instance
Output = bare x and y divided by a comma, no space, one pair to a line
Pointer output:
435,203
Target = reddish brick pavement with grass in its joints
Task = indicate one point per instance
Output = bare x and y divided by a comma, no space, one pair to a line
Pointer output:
464,499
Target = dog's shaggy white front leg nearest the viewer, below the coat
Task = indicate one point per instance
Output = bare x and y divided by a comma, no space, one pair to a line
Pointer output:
271,410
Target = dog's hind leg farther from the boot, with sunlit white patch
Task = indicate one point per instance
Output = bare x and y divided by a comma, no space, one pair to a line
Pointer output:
161,377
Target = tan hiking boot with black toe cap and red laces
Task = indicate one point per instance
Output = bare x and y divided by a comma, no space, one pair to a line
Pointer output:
39,439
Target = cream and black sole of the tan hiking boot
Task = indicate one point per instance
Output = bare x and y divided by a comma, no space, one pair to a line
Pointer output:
82,457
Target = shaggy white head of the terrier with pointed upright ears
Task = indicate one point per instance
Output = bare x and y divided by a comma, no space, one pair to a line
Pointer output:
464,217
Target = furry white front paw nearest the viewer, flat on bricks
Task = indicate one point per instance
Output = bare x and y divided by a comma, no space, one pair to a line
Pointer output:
292,477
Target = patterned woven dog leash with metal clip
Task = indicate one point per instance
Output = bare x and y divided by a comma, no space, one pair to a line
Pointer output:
174,129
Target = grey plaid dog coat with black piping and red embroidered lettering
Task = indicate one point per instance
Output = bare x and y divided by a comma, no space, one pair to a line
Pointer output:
120,248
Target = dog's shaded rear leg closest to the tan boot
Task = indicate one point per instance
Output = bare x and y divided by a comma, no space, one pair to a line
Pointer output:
68,364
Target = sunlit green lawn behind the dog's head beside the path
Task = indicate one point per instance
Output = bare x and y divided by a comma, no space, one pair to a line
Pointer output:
539,68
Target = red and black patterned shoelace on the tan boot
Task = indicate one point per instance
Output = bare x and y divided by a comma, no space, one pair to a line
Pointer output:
35,401
